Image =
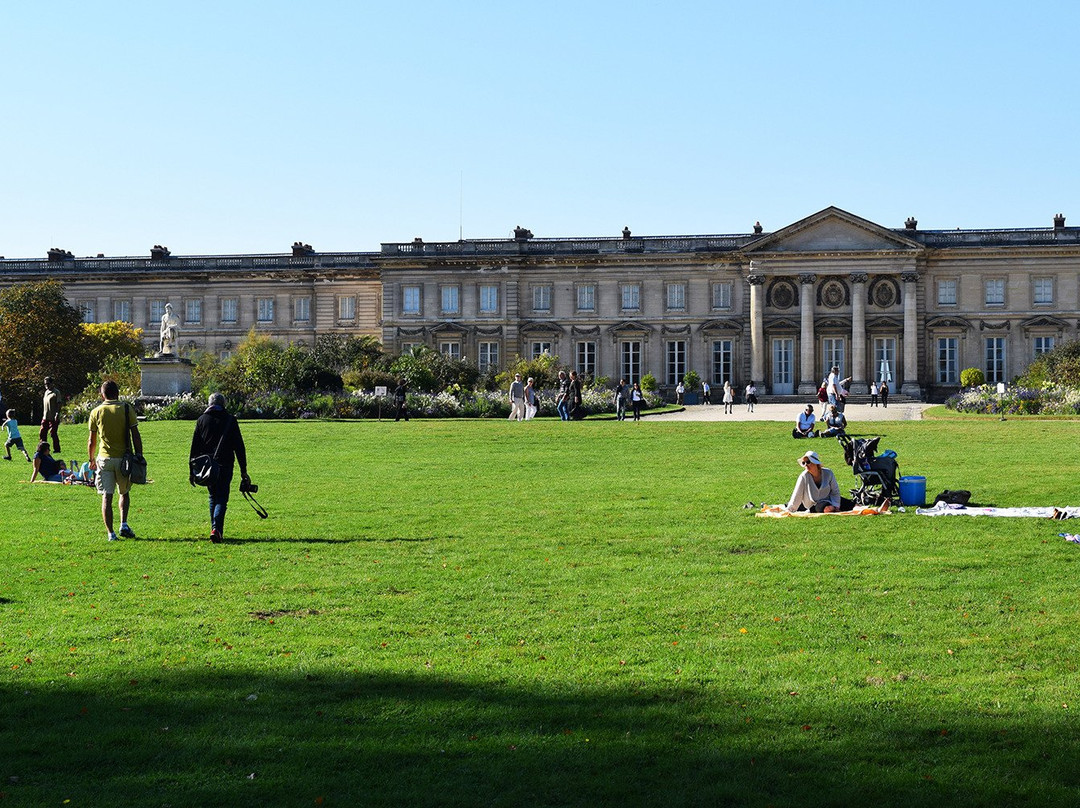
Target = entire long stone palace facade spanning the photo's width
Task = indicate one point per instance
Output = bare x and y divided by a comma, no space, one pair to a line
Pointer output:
780,308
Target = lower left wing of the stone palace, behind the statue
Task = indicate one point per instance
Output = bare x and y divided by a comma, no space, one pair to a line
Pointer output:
219,300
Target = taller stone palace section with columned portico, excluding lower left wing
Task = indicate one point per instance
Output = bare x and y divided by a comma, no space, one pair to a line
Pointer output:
780,308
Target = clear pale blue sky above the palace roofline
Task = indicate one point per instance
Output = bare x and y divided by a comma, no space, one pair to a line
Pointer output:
237,127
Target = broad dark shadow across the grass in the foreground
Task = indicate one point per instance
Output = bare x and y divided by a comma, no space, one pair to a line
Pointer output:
262,739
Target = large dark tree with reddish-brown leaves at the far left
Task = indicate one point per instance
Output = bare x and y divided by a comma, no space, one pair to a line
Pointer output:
40,335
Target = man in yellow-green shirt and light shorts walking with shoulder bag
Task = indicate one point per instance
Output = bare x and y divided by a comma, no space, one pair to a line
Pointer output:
110,425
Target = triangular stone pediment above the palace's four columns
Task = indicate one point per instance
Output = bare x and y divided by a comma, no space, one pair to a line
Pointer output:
833,231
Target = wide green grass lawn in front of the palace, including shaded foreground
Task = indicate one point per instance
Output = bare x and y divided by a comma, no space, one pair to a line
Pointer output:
485,613
